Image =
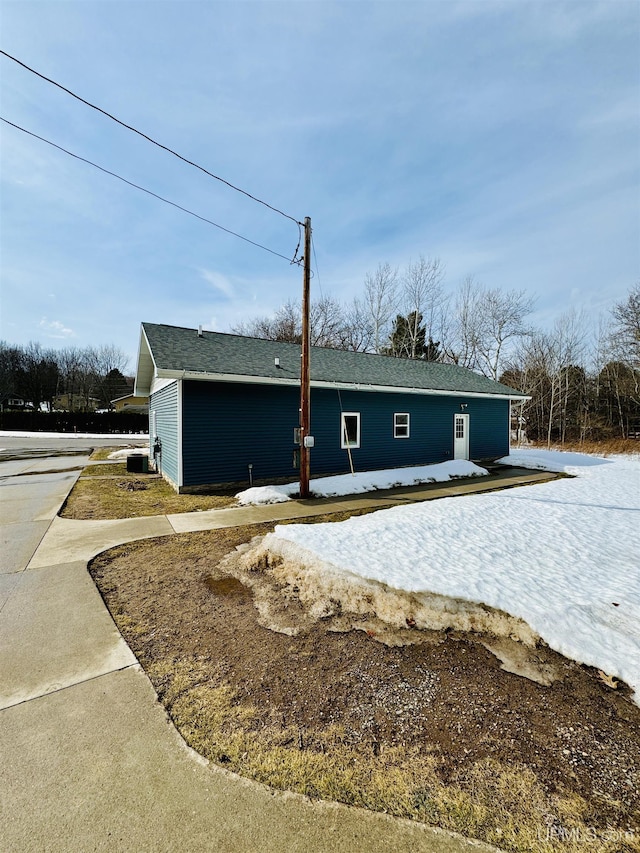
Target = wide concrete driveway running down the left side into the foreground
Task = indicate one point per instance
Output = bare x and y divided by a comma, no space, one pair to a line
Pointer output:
90,760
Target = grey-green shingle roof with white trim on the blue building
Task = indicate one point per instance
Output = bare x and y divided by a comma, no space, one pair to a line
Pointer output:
171,352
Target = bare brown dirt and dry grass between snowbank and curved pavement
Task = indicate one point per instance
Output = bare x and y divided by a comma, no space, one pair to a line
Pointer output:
424,724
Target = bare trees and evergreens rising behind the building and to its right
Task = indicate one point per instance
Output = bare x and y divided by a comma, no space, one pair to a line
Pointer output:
583,384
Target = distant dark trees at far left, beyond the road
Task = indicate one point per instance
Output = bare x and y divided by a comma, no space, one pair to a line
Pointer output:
87,378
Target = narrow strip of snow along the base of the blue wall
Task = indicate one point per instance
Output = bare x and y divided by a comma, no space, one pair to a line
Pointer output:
367,481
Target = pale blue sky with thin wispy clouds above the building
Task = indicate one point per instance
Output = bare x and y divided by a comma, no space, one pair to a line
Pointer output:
501,137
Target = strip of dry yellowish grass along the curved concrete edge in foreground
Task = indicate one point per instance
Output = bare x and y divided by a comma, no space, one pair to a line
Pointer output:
500,804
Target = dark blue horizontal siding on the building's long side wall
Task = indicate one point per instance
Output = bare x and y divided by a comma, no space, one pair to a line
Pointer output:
227,427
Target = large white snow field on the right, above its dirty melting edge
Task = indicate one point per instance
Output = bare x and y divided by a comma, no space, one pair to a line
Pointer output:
563,556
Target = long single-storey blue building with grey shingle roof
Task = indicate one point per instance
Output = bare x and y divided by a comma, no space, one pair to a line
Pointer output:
222,406
